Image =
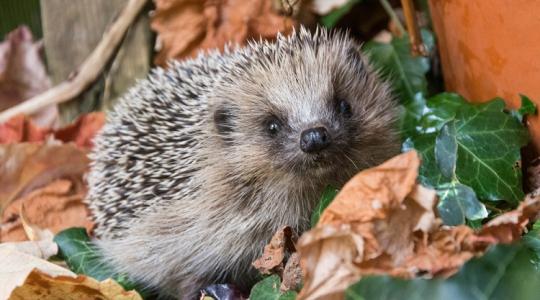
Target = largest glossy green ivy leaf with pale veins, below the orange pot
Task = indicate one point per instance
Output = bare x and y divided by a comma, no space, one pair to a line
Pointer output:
488,142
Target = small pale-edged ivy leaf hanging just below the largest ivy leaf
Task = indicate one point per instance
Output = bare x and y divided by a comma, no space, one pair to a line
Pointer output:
458,202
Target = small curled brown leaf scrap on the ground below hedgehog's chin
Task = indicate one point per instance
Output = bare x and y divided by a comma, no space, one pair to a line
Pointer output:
273,258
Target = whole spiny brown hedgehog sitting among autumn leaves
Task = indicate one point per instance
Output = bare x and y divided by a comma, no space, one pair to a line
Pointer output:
202,162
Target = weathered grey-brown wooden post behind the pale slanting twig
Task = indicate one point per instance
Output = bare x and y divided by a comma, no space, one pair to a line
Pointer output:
72,29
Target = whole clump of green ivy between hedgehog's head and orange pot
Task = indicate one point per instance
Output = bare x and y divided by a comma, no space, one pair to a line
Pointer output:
470,153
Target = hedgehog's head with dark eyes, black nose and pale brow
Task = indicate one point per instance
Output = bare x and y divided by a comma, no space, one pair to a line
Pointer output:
309,107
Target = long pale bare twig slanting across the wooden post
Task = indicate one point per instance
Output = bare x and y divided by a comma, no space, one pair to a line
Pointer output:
88,72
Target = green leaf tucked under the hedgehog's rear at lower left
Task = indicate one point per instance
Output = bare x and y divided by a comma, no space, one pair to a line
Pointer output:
83,257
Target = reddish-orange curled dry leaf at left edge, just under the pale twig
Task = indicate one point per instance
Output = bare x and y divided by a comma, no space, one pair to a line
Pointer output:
22,129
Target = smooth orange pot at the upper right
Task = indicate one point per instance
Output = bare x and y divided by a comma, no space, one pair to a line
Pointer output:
491,48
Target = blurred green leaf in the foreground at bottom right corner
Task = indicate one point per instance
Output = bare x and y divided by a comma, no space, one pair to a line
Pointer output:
504,272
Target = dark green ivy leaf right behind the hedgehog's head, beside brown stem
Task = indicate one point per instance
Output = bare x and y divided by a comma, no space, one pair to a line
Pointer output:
395,62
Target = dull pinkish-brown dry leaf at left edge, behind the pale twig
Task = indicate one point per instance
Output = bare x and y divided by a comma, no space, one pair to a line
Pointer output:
22,73
